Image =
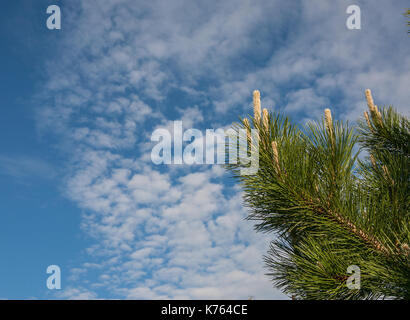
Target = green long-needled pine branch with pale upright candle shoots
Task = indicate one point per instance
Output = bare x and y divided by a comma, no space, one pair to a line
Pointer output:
329,209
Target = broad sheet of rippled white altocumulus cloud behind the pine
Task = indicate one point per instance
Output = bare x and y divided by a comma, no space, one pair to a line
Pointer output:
128,67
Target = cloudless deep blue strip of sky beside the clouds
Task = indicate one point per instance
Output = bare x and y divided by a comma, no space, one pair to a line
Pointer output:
38,226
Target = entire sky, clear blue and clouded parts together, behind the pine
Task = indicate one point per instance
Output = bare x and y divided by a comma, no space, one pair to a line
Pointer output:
78,106
